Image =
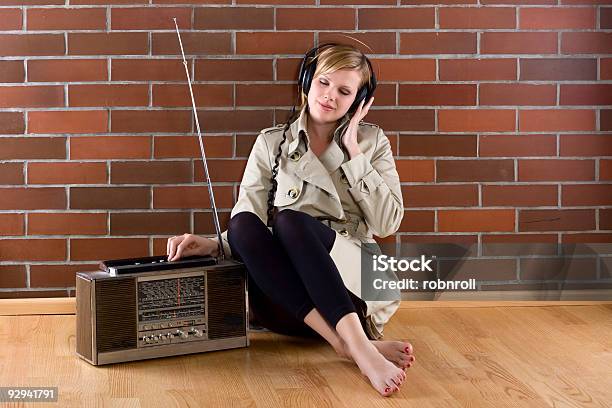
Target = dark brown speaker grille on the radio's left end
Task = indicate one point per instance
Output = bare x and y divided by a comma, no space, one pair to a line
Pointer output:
116,327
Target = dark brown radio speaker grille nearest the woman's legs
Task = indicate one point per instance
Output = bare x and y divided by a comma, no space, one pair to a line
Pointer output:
226,304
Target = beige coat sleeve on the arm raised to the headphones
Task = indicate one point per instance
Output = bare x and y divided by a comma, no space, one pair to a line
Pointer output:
375,186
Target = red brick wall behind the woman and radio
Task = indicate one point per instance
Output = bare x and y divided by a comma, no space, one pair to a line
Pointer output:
499,113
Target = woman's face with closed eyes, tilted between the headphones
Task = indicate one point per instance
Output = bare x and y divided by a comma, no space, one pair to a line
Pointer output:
332,94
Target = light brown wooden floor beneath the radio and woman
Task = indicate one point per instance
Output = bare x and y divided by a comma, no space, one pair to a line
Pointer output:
554,356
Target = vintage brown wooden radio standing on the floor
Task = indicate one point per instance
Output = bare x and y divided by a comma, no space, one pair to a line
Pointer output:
147,308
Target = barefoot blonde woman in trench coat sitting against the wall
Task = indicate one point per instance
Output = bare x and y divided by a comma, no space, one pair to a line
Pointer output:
313,191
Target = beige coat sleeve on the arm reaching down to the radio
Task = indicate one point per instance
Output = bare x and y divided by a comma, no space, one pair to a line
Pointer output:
254,187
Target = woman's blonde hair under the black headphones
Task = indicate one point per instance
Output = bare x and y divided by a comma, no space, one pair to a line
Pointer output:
334,57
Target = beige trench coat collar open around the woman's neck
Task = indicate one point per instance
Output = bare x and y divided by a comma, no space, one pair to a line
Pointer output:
334,156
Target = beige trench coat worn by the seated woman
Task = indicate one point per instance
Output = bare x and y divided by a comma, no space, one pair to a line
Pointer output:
360,197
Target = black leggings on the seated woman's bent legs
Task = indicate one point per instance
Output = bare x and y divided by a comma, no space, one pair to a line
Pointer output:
291,271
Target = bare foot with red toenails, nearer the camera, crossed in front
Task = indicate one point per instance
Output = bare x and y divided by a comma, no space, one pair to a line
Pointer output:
385,377
